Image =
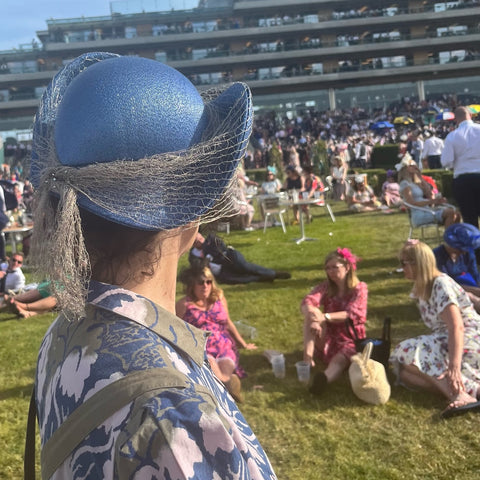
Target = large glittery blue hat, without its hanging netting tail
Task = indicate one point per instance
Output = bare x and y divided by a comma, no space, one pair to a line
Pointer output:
103,109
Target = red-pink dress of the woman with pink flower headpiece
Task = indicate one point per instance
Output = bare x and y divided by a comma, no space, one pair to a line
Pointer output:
337,339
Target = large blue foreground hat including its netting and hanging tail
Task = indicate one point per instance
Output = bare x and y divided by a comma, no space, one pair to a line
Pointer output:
132,141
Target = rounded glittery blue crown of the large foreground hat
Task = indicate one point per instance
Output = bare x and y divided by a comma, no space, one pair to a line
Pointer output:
126,108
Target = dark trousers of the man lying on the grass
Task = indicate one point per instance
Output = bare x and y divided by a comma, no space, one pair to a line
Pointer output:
239,270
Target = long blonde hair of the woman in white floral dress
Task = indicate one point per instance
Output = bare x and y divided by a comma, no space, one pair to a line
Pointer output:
422,257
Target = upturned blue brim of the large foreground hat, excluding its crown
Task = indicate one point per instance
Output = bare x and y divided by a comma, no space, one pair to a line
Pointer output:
228,123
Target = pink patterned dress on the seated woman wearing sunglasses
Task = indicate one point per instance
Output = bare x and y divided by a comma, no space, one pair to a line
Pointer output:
220,343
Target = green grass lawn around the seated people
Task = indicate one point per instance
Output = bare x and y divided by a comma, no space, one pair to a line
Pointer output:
335,436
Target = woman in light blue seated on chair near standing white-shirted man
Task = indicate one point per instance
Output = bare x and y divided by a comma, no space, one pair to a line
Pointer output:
416,191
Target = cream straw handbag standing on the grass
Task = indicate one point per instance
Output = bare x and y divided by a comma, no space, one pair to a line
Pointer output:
368,378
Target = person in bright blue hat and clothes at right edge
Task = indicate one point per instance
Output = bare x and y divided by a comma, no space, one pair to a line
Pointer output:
456,258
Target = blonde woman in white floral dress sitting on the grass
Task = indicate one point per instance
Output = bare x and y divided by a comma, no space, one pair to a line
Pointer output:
447,360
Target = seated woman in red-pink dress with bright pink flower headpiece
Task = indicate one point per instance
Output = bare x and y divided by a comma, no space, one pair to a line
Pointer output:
342,295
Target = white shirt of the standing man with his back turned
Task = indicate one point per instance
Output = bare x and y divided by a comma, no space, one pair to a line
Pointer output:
462,149
